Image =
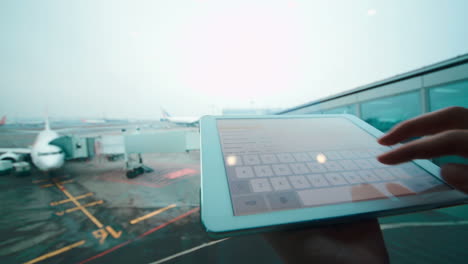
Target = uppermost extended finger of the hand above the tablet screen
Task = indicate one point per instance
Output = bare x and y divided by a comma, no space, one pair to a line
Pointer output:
428,124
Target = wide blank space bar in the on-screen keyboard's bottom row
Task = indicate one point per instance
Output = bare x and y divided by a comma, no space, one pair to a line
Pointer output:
314,197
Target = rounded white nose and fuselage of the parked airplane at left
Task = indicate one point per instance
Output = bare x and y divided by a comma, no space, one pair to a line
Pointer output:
44,156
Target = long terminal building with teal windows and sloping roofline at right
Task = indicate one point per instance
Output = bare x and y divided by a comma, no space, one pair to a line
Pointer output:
385,103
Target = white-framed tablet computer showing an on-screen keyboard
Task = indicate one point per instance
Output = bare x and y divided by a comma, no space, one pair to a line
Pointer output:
276,172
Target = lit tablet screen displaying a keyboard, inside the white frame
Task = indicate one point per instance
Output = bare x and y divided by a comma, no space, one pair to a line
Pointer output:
281,164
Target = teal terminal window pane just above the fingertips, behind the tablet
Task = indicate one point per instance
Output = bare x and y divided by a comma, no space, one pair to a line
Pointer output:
386,112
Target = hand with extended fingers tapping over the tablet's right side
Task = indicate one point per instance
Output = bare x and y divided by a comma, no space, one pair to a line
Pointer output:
446,133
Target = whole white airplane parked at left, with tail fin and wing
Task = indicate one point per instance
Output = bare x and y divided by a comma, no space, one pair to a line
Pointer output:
44,156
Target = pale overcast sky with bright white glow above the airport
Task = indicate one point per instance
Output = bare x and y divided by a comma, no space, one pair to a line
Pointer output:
130,58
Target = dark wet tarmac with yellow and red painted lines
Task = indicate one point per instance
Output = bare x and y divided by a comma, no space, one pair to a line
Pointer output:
89,212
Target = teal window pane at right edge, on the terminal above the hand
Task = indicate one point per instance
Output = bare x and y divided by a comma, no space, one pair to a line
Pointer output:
454,94
